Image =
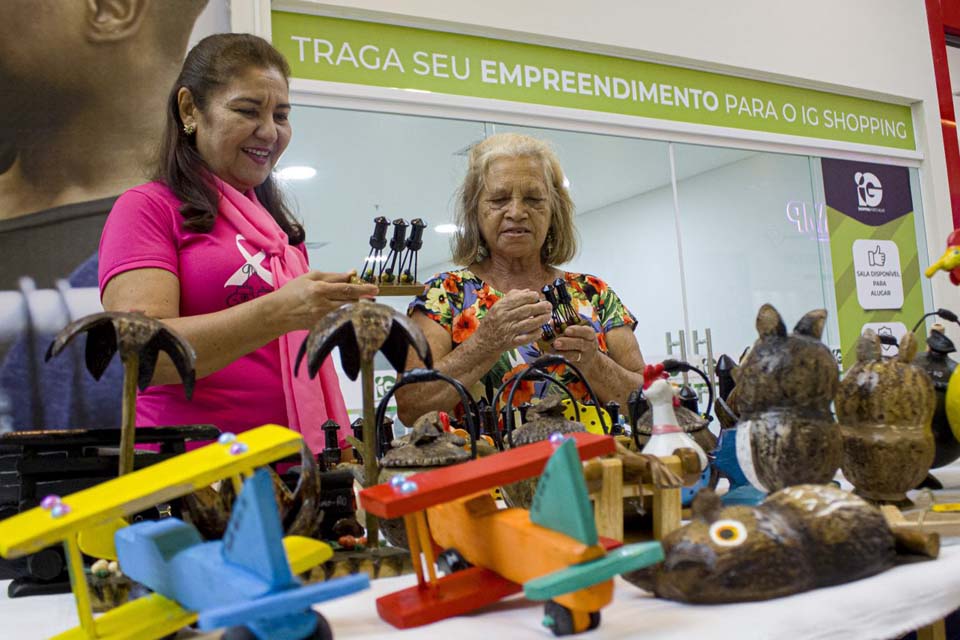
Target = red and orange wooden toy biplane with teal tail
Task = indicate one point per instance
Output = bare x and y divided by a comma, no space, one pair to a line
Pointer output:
552,553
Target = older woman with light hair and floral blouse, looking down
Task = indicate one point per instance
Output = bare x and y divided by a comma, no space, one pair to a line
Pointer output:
482,322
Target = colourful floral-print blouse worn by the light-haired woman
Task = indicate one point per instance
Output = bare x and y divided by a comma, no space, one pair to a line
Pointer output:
458,301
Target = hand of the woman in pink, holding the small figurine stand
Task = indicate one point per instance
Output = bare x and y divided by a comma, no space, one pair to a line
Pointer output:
306,299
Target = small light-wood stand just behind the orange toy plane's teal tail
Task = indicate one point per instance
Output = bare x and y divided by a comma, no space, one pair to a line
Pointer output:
608,500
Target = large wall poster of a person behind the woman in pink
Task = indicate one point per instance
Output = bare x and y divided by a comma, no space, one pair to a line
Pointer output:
82,91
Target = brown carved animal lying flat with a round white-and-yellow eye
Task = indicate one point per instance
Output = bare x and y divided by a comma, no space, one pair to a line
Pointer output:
799,538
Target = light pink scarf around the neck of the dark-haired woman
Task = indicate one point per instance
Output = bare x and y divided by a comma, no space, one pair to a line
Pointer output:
309,402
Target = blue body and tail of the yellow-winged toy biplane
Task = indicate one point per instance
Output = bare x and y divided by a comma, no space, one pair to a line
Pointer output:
242,580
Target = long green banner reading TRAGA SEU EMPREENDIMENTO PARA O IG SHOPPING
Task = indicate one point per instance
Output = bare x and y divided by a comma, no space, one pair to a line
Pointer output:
367,53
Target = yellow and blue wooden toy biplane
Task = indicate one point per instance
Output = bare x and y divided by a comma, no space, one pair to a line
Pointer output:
247,579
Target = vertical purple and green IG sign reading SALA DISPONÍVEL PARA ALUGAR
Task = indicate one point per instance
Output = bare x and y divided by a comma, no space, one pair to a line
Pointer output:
873,248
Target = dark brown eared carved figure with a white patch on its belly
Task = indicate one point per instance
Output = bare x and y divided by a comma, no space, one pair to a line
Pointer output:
787,434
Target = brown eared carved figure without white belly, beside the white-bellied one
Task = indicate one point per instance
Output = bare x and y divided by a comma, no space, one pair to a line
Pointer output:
885,406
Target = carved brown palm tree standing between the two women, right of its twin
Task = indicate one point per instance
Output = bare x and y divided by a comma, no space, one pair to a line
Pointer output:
361,329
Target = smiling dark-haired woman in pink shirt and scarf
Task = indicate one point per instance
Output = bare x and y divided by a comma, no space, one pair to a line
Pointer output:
211,249
